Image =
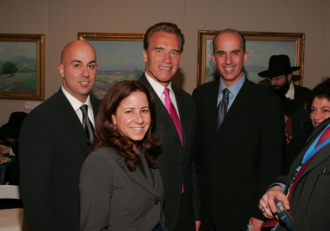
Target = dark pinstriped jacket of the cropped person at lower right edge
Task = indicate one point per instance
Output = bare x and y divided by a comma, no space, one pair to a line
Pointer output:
310,200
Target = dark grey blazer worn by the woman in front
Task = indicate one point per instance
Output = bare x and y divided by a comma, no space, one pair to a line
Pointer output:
114,198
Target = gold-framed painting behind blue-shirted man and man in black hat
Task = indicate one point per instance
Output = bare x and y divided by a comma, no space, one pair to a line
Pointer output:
261,46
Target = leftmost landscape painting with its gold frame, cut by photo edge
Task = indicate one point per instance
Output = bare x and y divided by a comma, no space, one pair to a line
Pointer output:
22,66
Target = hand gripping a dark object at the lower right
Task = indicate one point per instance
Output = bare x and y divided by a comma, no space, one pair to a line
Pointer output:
268,201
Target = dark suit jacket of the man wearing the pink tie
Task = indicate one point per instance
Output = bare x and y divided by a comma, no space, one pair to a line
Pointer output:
176,163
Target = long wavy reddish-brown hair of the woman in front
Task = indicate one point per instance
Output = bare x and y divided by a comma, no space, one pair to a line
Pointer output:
107,134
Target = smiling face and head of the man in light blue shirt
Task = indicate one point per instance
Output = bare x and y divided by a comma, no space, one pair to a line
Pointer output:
229,57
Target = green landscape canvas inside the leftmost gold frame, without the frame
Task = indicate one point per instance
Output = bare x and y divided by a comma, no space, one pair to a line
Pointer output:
18,66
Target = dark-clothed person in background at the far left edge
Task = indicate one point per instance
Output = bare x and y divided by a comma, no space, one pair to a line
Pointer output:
11,132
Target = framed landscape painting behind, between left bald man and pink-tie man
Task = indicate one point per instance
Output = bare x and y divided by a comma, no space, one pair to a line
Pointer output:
119,56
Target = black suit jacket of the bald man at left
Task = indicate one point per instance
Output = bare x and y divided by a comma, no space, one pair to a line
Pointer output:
52,150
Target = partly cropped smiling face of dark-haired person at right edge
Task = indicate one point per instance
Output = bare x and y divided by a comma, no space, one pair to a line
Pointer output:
320,110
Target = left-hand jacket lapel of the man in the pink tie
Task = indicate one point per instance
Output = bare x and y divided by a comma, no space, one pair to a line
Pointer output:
162,114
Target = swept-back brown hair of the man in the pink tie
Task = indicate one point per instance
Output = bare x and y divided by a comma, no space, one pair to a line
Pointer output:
166,27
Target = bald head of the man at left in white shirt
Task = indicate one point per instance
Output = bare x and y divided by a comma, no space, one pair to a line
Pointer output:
78,69
